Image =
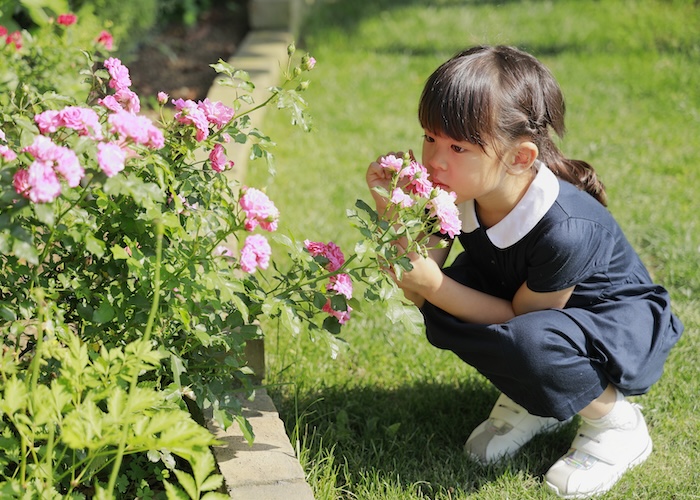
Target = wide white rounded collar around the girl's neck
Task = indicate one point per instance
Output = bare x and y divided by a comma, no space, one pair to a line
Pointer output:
538,199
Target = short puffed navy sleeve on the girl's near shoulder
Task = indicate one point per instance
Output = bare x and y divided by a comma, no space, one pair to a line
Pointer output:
569,253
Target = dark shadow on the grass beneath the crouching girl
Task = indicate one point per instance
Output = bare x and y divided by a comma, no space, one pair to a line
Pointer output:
410,436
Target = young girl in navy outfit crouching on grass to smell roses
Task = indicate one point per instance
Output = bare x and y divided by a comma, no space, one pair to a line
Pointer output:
548,301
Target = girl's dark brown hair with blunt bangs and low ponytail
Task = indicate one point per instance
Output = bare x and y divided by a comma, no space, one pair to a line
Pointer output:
502,94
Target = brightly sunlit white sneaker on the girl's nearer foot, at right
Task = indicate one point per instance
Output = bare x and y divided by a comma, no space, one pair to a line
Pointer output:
599,457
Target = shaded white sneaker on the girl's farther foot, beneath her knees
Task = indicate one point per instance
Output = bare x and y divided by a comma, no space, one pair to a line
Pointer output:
507,429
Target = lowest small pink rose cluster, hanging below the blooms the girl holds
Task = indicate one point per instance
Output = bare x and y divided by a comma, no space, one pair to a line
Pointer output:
331,257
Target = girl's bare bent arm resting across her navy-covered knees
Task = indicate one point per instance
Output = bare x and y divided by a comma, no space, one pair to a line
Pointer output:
426,281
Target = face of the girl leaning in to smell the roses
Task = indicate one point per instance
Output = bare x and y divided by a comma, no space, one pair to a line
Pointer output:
463,167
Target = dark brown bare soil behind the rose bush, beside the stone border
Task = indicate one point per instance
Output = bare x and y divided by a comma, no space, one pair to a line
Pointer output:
176,59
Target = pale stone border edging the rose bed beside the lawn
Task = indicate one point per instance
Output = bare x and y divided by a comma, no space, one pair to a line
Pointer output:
269,469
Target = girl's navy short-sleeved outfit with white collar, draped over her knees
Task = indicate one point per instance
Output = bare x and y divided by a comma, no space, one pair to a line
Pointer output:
617,327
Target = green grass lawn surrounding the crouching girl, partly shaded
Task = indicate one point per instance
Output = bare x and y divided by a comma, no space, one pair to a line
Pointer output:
387,417
